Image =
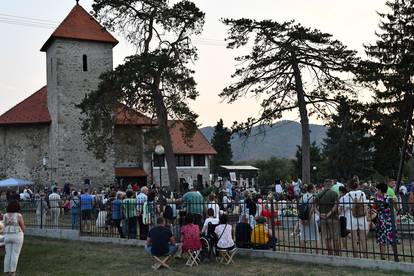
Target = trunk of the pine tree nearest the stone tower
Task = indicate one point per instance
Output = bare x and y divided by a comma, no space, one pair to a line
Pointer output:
162,117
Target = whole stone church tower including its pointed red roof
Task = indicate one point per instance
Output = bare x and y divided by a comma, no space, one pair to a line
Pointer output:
77,53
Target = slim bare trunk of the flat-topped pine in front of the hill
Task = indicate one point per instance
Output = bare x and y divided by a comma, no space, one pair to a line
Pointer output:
304,120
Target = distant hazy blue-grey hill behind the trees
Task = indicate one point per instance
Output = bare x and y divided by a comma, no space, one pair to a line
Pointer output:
280,140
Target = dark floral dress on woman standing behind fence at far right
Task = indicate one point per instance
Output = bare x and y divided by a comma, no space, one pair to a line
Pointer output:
384,234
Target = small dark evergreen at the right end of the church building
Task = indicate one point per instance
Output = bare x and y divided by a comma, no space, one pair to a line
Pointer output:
221,143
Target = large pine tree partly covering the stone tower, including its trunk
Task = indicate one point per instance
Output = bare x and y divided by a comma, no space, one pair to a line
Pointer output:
156,81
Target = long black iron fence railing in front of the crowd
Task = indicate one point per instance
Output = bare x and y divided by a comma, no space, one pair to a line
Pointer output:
372,229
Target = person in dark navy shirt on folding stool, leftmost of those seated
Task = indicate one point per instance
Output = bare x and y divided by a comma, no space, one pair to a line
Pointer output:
160,241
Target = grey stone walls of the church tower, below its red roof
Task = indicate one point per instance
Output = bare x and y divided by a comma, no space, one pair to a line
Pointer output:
67,85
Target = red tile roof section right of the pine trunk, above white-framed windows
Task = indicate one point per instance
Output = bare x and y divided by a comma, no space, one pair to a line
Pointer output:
198,144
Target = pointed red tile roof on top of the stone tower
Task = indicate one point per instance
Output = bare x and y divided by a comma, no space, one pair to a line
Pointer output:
79,24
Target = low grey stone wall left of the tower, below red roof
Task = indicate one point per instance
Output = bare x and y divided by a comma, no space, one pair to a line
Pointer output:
22,149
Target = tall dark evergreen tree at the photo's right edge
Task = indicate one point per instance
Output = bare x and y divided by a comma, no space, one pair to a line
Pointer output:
390,71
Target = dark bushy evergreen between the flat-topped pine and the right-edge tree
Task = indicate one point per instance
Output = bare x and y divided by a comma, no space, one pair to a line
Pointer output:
347,146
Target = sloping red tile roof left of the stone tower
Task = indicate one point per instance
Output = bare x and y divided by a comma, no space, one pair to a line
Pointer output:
32,110
